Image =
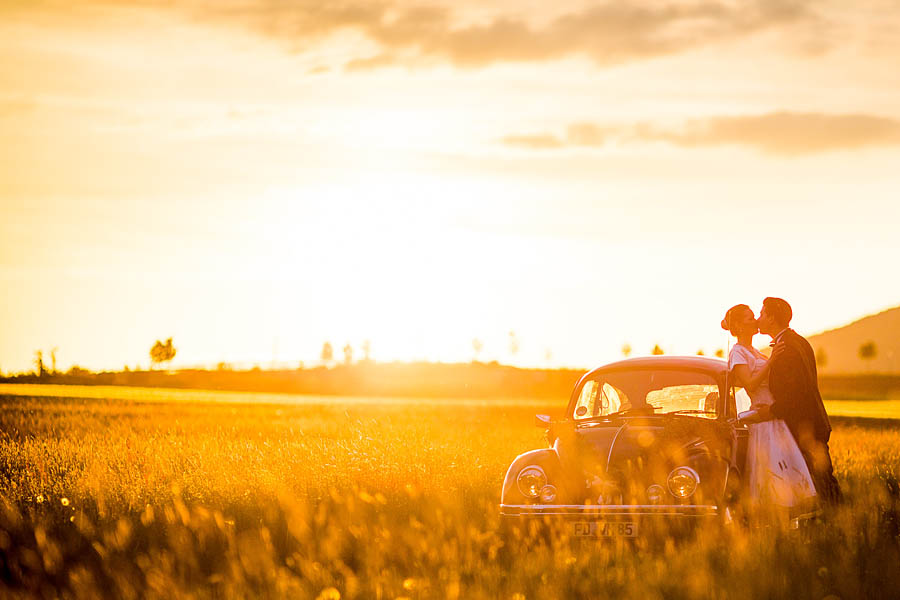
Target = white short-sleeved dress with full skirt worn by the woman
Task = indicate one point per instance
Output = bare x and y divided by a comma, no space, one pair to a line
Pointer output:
777,473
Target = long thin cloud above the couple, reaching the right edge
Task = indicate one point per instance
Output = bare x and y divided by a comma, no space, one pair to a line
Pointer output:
780,133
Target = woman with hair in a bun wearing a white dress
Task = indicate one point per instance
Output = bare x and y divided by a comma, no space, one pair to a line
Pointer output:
778,477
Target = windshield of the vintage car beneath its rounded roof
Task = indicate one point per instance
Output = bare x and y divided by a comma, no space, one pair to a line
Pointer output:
654,390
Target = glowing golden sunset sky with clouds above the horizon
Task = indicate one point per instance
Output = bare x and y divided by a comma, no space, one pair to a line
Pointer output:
254,178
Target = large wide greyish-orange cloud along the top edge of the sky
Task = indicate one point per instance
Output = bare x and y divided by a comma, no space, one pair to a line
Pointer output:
610,33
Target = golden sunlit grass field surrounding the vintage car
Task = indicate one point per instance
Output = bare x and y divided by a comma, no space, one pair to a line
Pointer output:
208,495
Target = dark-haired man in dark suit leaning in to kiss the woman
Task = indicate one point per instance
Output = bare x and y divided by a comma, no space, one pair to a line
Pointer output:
794,384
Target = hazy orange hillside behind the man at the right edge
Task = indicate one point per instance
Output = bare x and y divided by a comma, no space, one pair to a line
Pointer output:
838,350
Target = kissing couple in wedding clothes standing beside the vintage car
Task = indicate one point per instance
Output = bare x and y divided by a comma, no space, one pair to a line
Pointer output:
788,460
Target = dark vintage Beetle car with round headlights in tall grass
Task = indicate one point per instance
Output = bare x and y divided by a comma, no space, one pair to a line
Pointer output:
644,437
